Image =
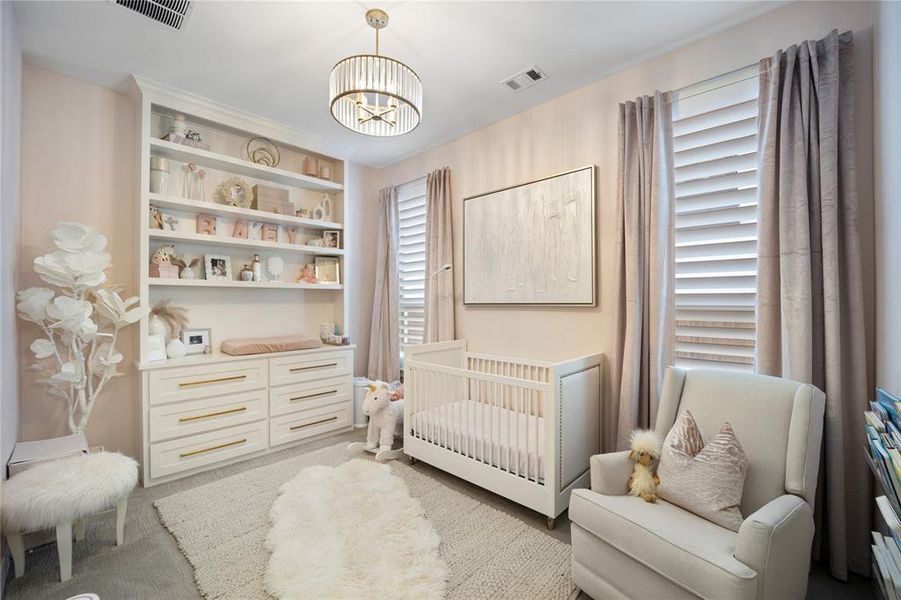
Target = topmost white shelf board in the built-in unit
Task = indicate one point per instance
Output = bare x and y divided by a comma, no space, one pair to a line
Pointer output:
237,166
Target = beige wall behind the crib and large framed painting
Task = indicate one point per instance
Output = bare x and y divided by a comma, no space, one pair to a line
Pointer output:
580,128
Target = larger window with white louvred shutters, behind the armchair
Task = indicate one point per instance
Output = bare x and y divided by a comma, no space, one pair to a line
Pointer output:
715,147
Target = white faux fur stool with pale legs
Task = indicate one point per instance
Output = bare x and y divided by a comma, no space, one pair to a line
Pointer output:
62,493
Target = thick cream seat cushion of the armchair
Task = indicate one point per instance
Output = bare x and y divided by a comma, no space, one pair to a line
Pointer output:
692,552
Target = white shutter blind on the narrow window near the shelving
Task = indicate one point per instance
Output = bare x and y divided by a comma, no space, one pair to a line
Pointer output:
411,261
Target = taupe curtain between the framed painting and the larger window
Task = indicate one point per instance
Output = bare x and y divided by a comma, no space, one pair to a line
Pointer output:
645,196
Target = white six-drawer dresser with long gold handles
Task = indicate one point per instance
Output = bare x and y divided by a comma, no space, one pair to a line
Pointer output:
200,413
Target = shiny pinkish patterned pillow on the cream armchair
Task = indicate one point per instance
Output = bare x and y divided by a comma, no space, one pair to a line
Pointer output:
704,479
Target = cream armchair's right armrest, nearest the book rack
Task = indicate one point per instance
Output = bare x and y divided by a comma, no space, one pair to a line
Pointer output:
775,542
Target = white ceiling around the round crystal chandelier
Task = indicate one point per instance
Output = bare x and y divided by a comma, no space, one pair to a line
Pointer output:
274,58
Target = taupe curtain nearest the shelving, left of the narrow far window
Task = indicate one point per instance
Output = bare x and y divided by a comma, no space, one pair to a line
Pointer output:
384,341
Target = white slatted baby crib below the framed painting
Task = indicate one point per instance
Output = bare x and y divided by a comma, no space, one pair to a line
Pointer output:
521,428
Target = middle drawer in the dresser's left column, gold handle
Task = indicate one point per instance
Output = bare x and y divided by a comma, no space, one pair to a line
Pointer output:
196,416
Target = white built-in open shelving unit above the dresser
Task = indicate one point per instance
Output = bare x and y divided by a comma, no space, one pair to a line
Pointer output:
232,305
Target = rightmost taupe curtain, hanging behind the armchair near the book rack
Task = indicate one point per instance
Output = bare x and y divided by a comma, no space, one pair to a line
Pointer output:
810,315
